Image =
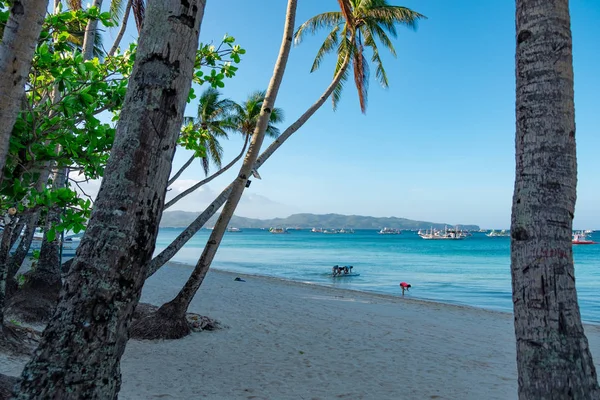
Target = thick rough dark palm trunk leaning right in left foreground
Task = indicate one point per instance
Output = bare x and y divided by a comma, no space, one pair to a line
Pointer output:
80,350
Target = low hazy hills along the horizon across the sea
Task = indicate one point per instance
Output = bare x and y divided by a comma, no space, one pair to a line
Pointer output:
181,219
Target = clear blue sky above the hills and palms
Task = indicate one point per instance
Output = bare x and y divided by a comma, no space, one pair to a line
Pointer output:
438,145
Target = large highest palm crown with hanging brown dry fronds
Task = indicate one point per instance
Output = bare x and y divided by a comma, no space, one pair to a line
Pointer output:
359,24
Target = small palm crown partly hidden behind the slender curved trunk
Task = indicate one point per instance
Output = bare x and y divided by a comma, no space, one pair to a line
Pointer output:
245,116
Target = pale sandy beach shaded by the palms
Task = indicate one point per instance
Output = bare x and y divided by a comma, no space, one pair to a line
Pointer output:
287,340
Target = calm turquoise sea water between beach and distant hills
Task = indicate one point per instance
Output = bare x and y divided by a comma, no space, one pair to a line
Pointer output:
474,271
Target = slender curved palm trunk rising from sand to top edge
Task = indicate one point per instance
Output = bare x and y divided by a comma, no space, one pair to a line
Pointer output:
178,306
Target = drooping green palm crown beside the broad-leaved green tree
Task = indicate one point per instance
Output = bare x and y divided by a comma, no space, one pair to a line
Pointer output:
212,117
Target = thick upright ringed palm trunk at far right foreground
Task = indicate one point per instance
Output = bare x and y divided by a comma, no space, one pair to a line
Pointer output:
553,356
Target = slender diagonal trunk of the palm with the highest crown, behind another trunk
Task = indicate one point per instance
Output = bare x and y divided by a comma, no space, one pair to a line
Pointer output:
169,252
